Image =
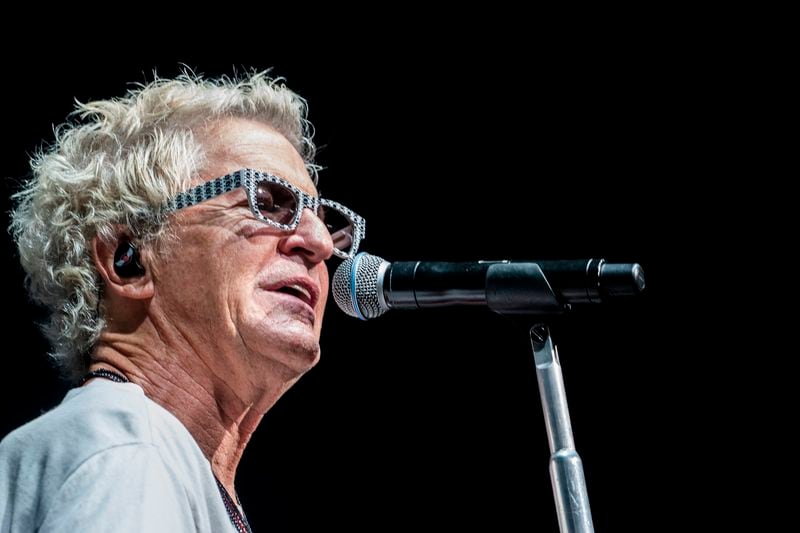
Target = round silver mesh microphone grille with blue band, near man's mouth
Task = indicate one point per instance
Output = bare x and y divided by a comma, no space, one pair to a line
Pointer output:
357,286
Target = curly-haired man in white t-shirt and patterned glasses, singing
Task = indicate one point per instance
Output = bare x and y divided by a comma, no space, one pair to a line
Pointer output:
177,237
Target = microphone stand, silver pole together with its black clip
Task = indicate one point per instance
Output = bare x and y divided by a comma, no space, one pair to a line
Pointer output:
515,289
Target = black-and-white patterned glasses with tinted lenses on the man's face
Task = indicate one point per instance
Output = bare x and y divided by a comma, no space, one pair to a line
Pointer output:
277,203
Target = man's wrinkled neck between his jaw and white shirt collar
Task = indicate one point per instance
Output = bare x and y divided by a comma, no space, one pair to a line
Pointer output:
220,412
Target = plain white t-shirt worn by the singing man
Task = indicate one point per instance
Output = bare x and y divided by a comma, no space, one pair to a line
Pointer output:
107,459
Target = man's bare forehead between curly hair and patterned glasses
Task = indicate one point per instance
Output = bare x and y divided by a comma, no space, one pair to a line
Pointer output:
235,143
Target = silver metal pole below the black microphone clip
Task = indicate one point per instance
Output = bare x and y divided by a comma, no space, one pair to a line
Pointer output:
566,468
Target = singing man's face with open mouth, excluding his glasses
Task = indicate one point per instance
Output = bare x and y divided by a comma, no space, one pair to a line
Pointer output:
249,295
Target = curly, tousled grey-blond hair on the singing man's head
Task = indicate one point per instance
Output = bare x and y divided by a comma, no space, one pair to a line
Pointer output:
117,164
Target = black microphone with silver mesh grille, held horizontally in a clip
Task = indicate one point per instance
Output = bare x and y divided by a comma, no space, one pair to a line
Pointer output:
366,286
